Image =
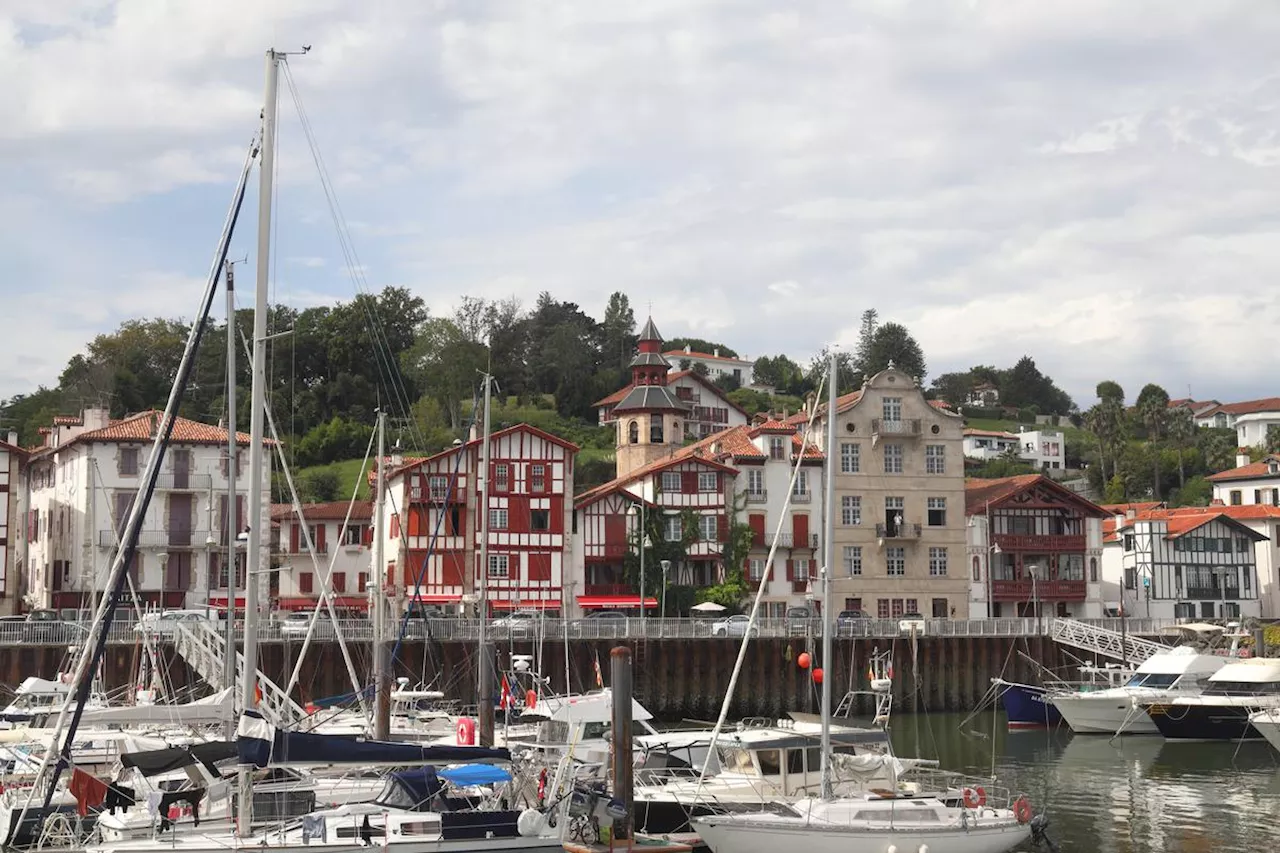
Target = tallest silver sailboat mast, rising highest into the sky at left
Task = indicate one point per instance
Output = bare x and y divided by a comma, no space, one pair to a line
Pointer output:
258,418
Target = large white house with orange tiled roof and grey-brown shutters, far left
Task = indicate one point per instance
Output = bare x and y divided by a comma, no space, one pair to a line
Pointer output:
81,486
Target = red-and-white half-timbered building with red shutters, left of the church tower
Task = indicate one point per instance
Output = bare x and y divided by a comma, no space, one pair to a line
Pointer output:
435,532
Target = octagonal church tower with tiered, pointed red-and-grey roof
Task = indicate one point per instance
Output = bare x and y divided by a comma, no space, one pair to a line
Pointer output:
650,418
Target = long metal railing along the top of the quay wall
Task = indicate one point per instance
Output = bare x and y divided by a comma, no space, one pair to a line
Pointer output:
360,631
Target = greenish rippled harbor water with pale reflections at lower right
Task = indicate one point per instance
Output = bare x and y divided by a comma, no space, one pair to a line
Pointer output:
1132,795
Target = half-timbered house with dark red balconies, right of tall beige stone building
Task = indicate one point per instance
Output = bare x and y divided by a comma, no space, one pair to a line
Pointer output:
1035,549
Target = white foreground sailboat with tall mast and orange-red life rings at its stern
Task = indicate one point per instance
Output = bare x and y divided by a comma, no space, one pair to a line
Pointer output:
867,822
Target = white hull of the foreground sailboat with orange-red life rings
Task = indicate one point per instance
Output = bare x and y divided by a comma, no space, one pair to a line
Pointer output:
771,837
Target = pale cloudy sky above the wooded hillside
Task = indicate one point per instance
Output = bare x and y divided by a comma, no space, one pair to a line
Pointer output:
1092,184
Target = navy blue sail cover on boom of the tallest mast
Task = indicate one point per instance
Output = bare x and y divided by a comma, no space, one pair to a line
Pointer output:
260,743
